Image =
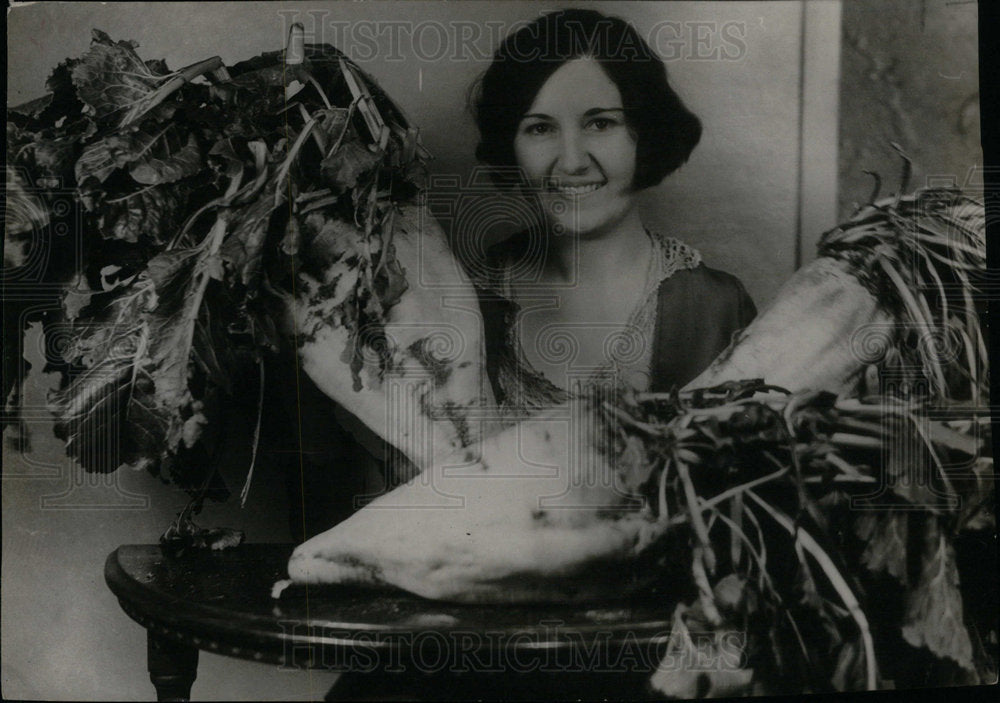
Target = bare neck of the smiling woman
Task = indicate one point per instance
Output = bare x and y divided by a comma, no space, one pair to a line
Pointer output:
600,258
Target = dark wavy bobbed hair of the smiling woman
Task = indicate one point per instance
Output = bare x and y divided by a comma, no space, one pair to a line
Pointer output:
666,131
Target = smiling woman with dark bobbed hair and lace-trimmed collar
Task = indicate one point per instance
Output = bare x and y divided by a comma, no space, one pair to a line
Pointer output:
576,113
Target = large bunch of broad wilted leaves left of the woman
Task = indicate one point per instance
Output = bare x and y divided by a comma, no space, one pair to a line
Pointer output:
193,229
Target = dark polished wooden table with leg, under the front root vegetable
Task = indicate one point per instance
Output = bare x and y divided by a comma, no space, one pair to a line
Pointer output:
390,643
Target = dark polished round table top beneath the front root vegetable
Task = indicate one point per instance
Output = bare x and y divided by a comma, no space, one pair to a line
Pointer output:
221,601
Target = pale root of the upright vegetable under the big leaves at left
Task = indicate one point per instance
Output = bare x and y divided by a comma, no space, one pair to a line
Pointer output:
424,402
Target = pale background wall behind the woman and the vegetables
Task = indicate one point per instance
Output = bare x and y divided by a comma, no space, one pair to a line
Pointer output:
757,191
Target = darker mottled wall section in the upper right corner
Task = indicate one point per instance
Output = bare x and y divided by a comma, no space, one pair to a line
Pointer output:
910,76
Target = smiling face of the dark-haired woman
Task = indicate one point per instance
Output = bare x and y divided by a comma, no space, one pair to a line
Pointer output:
577,150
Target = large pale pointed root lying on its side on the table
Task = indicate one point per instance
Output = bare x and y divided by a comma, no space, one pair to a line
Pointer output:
517,523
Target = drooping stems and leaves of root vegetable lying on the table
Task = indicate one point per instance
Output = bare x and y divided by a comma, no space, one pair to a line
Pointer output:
779,477
